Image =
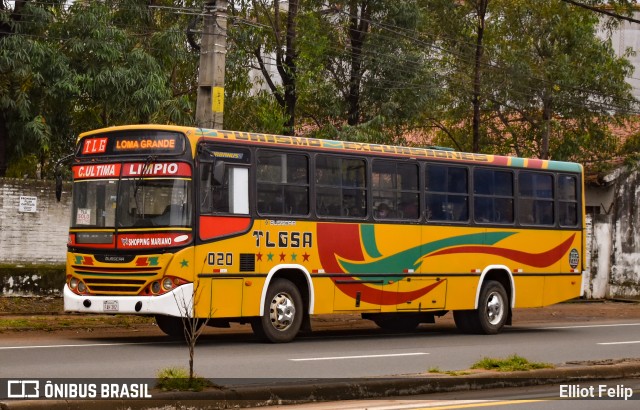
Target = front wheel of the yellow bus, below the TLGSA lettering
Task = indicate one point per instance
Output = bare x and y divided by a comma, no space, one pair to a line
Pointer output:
283,313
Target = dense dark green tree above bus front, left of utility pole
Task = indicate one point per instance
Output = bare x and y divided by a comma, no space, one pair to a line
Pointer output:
120,81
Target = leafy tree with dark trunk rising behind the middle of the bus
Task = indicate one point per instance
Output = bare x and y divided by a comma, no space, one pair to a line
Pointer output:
378,77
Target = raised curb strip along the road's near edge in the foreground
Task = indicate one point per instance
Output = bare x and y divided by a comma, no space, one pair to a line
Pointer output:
293,392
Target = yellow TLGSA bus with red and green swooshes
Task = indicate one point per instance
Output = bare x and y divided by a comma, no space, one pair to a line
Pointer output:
269,230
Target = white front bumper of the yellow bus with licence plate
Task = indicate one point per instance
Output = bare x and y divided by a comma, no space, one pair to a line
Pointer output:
174,303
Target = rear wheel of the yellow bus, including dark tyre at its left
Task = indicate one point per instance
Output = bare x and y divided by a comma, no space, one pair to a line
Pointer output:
492,312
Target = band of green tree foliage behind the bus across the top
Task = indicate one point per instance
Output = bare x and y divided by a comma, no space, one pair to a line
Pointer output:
549,85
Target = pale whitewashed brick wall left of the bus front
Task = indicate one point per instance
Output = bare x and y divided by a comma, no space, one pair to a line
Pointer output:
33,238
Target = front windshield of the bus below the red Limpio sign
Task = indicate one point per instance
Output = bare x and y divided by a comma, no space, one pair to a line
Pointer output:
131,203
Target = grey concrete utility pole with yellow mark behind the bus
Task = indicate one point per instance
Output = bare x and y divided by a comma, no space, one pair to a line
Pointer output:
213,49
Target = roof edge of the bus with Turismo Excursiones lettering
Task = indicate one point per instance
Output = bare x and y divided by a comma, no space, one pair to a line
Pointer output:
435,153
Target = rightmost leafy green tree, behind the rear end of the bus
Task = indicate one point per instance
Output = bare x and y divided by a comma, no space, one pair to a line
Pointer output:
561,86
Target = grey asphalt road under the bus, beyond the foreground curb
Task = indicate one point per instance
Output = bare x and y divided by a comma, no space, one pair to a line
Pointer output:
239,359
